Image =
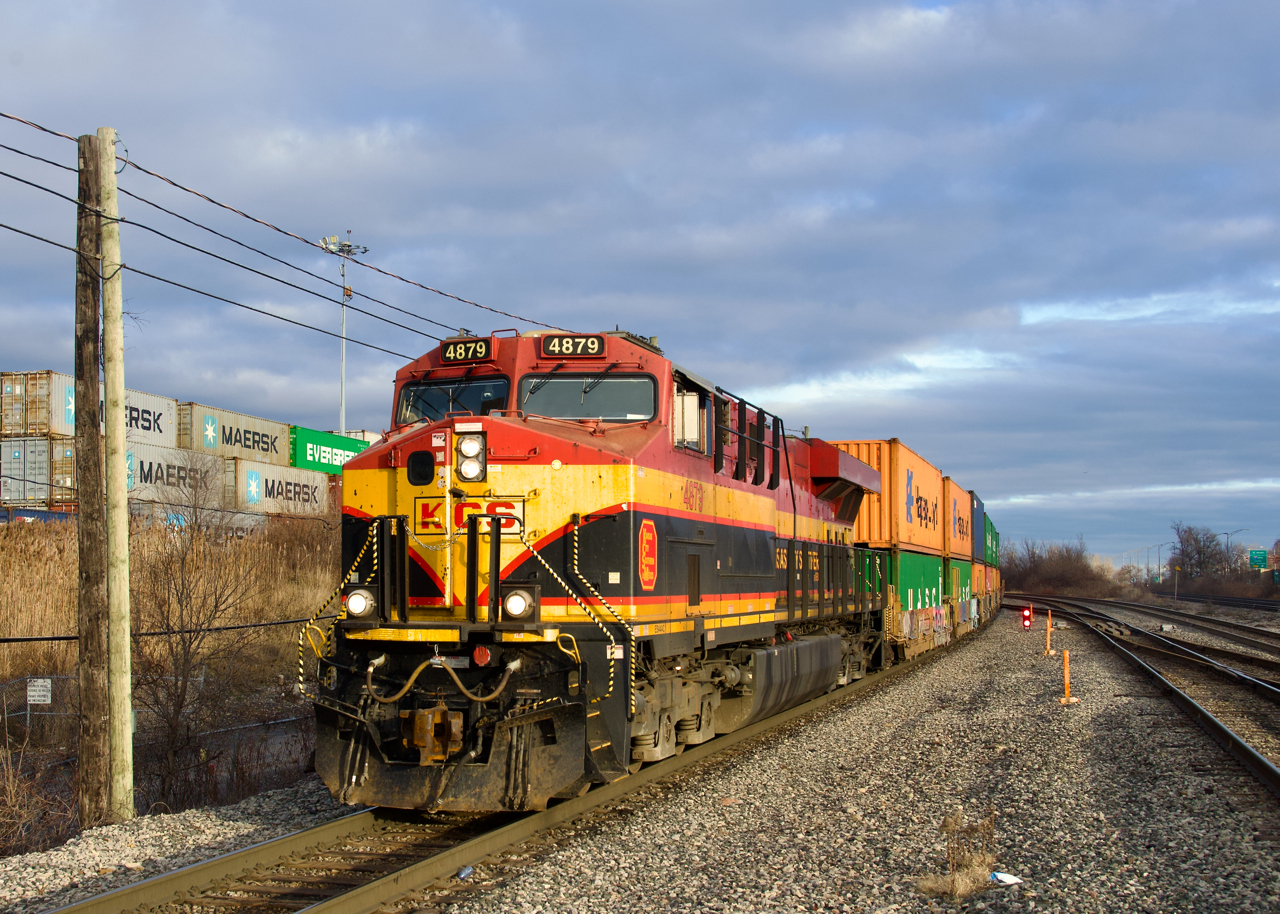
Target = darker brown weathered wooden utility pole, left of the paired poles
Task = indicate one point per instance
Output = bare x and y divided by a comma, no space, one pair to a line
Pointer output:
94,753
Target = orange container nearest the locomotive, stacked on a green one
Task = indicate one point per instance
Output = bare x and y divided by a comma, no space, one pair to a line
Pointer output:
908,511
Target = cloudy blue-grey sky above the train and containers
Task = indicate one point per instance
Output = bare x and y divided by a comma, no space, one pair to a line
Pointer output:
1035,240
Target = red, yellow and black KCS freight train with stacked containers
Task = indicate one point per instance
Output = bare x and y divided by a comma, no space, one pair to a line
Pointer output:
572,557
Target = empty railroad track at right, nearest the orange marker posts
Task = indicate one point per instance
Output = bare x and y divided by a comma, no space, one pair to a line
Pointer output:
1240,712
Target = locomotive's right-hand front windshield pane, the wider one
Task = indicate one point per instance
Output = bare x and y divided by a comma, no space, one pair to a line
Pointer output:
612,399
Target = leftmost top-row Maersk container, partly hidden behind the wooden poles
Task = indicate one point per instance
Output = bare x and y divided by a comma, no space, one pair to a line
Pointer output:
44,404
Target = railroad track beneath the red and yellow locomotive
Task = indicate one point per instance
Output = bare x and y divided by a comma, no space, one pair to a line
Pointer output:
367,861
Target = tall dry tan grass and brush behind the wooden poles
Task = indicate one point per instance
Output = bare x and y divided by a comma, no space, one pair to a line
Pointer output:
282,573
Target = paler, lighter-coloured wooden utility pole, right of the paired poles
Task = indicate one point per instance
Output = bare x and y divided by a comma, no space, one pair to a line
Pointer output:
117,504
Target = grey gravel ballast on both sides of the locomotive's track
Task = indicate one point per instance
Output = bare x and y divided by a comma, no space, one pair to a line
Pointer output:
1114,805
